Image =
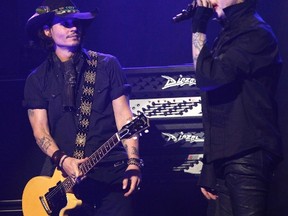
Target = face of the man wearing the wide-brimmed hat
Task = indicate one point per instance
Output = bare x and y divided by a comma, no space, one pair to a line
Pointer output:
65,32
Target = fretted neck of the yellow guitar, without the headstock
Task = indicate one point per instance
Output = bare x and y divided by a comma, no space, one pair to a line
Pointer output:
96,157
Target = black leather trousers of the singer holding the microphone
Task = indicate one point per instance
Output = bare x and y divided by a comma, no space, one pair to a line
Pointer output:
243,184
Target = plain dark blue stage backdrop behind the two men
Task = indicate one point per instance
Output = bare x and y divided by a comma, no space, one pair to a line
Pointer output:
139,33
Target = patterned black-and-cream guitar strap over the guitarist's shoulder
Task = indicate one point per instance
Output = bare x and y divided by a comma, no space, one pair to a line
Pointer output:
86,105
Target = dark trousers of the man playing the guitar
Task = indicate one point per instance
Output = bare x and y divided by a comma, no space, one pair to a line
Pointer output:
104,196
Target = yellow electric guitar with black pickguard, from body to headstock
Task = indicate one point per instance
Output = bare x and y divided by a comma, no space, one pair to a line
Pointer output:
43,195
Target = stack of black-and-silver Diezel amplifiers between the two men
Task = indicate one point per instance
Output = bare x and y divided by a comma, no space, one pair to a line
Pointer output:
168,96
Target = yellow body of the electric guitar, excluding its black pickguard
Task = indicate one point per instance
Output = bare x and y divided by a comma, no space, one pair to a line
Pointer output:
39,186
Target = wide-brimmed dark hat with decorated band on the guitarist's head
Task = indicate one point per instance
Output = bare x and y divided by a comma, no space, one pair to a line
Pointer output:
50,8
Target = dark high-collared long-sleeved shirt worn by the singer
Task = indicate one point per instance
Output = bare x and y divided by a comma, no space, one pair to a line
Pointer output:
239,80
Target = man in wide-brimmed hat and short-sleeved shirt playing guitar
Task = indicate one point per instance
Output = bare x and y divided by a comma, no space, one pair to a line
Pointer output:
76,101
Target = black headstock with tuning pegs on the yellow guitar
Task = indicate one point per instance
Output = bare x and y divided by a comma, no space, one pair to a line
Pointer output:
134,127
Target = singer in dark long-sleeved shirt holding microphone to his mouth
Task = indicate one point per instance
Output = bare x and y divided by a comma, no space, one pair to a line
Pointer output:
238,78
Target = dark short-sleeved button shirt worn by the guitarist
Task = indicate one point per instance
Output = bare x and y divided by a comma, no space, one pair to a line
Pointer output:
44,90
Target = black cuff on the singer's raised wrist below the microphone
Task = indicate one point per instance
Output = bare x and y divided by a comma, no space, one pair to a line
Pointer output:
201,18
